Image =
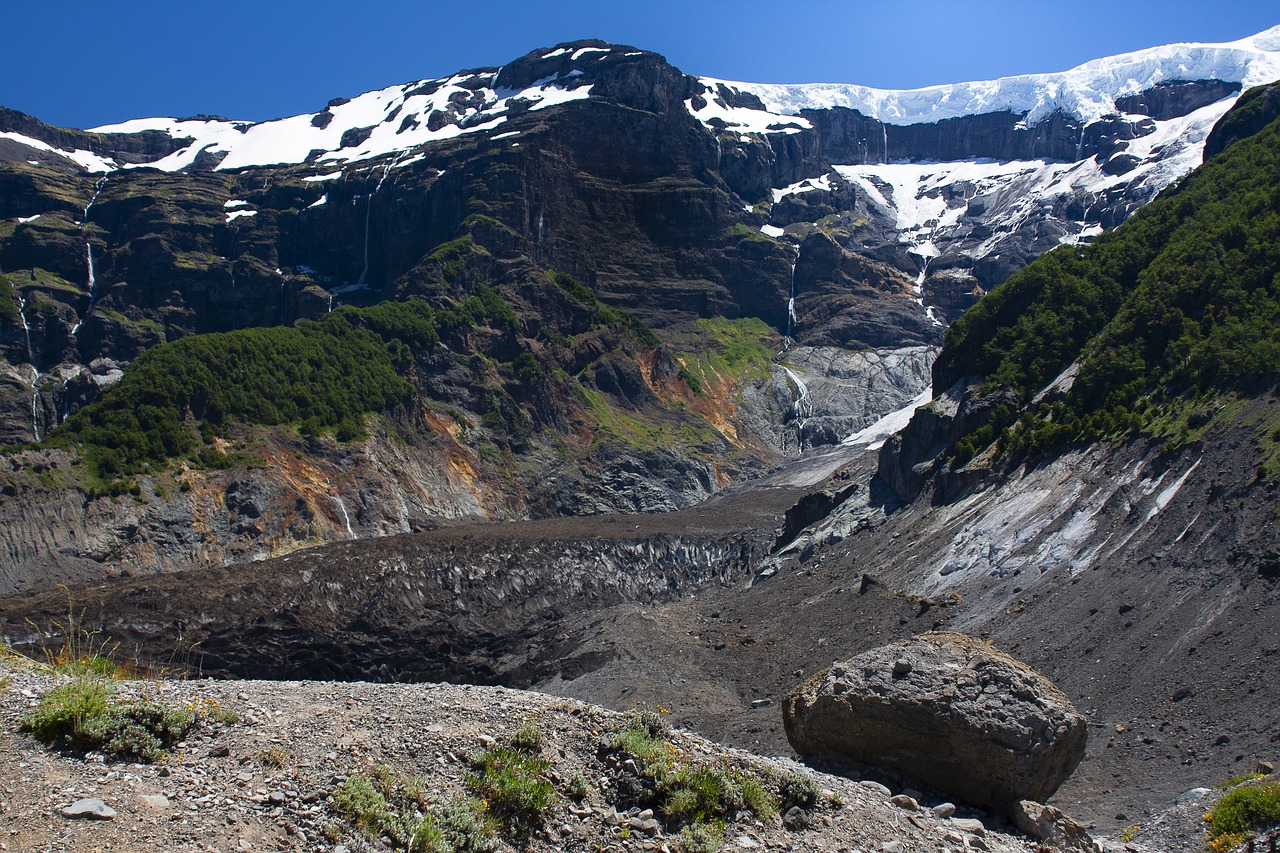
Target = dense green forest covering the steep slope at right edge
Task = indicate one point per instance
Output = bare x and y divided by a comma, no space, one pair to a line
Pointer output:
1162,314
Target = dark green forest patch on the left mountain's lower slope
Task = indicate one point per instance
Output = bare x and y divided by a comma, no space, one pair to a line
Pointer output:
322,375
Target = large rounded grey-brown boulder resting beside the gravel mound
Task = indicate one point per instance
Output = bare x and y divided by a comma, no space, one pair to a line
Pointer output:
947,710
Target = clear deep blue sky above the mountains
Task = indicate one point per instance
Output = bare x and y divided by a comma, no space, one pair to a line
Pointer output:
81,63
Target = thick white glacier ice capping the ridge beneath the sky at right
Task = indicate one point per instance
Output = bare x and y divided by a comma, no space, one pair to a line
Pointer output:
1087,93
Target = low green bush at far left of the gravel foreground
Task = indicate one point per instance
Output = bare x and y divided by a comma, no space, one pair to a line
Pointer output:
81,715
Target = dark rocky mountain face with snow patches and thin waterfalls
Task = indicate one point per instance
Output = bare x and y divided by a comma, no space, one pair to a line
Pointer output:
671,275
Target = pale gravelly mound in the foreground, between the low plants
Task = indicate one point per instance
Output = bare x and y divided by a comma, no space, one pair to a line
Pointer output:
267,781
